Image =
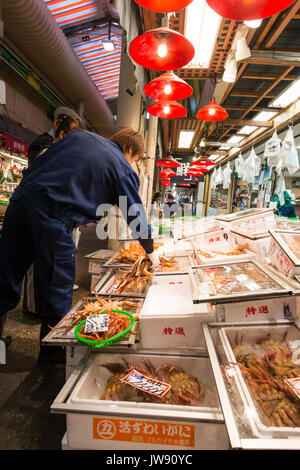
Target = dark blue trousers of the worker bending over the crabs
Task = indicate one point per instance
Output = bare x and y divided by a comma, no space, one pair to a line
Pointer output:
31,235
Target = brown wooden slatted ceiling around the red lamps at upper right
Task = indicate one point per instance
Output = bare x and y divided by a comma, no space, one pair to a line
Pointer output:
260,78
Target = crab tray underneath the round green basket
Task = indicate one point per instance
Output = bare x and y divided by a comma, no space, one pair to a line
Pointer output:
64,333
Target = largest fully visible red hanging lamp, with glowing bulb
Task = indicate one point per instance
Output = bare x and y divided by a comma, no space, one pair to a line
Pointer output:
161,49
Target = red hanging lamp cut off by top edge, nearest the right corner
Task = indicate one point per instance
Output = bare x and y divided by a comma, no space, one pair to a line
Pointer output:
240,10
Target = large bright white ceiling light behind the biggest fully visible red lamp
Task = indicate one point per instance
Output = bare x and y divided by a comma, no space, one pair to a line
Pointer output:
202,26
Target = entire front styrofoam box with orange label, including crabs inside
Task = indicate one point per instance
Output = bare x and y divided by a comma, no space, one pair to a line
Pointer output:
105,412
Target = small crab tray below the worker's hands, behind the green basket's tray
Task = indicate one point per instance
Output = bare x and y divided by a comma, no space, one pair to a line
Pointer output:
108,284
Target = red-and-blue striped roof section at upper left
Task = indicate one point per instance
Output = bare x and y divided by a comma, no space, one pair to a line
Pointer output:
86,23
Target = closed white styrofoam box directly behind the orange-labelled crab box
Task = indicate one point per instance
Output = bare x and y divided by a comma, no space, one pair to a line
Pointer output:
169,318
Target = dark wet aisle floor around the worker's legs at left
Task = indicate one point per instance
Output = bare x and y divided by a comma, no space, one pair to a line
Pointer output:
26,389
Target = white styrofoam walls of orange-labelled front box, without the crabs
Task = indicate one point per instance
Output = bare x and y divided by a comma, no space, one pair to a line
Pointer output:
107,424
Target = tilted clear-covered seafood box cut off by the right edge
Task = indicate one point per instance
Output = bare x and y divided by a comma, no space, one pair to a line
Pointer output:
284,251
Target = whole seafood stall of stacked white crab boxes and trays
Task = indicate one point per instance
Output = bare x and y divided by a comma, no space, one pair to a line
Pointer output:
176,380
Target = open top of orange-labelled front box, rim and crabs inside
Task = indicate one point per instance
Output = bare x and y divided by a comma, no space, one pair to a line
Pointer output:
192,390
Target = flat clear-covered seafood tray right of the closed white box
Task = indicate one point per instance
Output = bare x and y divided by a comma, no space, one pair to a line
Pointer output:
235,281
